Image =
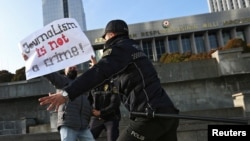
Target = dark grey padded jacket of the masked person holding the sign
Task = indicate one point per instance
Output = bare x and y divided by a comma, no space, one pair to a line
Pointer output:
74,114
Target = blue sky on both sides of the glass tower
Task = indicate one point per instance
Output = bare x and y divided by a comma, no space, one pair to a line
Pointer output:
20,18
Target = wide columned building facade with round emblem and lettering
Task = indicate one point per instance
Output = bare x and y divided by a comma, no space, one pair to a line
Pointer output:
195,34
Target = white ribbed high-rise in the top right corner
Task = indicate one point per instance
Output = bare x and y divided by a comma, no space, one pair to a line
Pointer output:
225,5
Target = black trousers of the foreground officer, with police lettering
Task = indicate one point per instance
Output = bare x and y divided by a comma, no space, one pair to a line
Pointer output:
150,129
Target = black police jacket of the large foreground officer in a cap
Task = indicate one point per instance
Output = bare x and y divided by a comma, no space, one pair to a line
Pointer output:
134,76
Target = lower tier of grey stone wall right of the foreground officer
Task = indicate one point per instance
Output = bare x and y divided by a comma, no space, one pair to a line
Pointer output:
205,94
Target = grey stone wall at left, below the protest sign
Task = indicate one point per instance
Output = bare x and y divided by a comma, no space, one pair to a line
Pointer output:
19,105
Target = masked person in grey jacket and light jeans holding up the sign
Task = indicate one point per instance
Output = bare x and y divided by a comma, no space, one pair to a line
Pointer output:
73,116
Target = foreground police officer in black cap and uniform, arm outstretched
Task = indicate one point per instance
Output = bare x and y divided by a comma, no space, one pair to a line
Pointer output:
137,82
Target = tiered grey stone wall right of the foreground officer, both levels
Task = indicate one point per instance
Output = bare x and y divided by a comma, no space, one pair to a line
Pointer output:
206,84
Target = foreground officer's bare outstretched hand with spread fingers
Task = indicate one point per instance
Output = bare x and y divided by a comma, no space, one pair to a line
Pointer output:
53,100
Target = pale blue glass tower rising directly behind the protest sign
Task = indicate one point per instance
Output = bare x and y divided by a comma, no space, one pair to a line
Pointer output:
57,9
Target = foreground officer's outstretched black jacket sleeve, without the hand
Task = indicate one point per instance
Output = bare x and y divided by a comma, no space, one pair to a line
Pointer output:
103,70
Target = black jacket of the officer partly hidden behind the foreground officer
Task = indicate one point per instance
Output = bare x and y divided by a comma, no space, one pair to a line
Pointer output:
105,98
